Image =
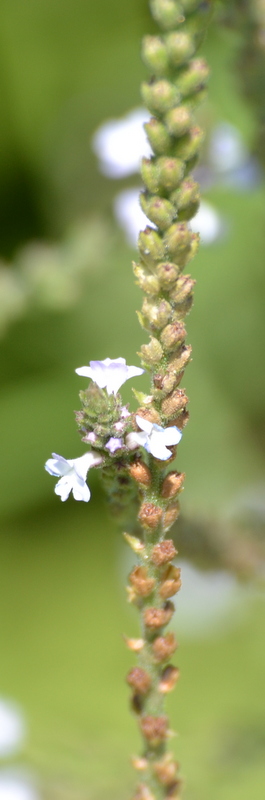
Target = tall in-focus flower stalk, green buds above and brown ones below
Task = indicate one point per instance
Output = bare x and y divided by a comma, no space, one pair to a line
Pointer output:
170,199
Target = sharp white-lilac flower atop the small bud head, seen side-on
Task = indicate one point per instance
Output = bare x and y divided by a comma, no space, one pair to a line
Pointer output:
110,373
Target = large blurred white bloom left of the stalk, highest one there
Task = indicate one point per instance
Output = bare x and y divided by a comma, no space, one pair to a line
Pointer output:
120,144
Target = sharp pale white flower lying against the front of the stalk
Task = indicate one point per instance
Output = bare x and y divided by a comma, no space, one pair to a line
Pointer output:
155,439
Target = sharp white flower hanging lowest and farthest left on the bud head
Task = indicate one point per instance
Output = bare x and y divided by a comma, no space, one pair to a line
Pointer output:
73,473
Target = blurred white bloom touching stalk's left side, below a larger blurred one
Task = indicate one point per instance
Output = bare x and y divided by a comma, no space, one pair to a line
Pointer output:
129,214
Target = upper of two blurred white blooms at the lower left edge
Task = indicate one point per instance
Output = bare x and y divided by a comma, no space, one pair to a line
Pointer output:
12,728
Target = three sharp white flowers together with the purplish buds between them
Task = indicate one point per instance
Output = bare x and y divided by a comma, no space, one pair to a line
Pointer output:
109,375
